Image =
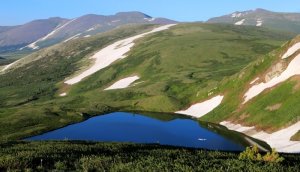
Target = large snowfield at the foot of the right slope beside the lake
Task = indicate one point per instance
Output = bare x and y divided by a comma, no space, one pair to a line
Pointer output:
280,140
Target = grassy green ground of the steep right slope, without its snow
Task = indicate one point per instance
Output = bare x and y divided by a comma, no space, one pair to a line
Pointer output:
258,111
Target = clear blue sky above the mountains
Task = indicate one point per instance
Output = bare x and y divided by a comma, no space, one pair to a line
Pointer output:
14,12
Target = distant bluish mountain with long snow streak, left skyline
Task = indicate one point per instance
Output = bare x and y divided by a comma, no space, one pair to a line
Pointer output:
43,33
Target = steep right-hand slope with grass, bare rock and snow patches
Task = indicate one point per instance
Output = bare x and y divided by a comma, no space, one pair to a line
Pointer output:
262,100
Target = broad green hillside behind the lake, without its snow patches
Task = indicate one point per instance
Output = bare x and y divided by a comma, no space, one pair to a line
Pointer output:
179,66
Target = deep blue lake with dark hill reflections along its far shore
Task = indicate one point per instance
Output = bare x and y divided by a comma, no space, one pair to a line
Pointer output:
164,129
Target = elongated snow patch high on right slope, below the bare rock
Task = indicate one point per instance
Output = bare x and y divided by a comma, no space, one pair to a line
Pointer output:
292,69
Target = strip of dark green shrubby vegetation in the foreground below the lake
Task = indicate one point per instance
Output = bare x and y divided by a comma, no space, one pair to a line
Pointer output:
89,156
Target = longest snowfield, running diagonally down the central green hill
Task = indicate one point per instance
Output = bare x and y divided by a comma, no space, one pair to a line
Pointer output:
112,53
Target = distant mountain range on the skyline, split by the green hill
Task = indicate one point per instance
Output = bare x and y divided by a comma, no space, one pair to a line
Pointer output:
17,41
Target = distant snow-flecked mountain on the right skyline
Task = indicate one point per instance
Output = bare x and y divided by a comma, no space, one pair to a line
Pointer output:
260,17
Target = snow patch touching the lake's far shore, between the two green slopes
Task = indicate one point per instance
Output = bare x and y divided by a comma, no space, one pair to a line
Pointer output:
200,109
